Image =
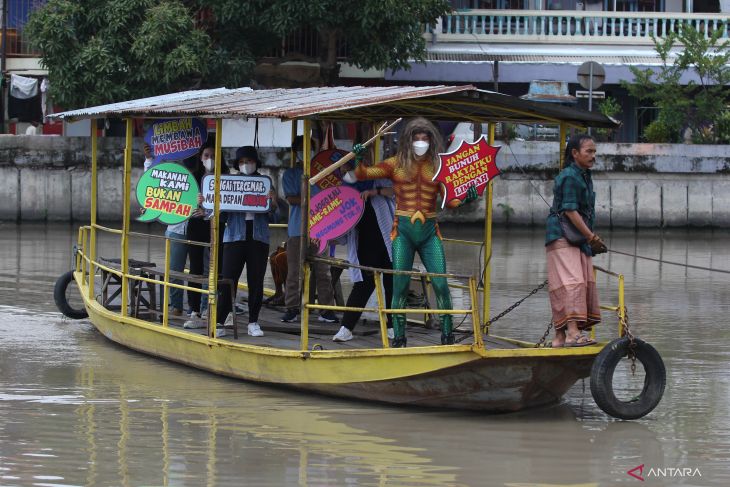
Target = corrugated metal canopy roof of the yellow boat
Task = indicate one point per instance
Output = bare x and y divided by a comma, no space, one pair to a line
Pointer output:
455,103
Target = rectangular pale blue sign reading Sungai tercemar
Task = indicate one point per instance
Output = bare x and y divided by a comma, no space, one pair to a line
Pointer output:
239,193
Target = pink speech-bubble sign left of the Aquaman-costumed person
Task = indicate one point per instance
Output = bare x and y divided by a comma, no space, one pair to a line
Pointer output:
332,212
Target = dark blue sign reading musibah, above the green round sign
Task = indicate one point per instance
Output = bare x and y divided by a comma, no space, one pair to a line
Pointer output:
176,139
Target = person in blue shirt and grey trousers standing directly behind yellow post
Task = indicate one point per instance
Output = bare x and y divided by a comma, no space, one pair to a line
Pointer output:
292,183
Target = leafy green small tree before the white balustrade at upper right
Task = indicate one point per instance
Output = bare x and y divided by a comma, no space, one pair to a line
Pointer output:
697,105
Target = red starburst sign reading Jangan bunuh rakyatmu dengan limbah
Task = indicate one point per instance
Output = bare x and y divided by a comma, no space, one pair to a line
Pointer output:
471,164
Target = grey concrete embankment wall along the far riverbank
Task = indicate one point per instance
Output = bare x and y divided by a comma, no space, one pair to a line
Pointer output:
637,185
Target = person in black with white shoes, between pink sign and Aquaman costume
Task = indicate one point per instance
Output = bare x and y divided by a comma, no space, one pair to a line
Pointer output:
368,244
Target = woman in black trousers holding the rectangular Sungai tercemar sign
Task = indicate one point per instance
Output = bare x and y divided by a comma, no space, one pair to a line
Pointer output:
246,244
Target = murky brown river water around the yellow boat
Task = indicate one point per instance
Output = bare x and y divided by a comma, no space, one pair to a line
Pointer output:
76,409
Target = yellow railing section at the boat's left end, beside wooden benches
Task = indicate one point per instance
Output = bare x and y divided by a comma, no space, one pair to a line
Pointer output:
89,264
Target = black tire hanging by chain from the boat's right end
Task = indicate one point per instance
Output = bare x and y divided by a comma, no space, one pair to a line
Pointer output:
602,371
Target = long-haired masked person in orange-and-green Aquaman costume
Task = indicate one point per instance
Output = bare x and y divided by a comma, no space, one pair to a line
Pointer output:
415,228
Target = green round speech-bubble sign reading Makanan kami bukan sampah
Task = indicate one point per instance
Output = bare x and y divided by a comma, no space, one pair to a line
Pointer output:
168,193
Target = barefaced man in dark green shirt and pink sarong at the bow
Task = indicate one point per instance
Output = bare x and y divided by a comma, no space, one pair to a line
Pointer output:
572,286
